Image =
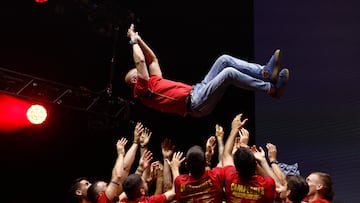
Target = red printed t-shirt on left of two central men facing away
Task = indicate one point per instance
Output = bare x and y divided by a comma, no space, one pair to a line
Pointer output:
206,189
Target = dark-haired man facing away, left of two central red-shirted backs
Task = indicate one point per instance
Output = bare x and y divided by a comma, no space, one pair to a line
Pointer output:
200,185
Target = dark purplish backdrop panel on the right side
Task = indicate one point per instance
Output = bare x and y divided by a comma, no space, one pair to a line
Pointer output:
317,122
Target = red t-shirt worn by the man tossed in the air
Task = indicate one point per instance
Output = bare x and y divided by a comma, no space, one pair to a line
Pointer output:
163,95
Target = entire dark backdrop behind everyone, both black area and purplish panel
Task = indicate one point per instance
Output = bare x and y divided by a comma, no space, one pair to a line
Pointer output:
316,123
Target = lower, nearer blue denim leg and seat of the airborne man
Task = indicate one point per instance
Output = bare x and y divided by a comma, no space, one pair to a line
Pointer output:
206,95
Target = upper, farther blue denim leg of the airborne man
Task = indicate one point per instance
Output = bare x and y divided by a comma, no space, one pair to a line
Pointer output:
224,61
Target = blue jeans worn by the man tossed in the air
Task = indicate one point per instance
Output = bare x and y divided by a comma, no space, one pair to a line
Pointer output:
226,71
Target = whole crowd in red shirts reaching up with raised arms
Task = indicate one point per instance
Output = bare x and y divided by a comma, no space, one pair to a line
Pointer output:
243,173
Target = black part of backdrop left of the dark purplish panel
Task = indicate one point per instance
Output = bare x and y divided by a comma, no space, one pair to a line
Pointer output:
72,43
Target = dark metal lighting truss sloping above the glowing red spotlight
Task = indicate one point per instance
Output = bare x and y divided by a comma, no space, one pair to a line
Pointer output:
41,90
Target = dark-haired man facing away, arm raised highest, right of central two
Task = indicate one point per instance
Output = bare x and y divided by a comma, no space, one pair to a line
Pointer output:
242,184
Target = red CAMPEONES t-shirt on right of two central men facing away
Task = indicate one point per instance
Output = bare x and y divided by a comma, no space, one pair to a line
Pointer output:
259,189
